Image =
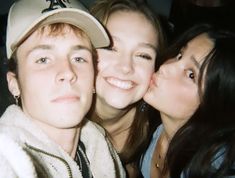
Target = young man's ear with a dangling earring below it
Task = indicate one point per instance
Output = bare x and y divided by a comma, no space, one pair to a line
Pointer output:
13,84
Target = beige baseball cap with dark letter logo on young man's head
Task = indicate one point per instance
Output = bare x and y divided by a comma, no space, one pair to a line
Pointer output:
25,16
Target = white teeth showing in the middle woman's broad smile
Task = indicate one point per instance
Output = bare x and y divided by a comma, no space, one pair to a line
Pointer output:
122,84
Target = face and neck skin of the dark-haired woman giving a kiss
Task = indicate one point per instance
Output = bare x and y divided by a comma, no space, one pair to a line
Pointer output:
174,91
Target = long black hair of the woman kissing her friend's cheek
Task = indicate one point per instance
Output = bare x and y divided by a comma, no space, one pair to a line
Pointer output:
210,132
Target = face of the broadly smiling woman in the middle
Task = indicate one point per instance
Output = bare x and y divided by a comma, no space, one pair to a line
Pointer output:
124,70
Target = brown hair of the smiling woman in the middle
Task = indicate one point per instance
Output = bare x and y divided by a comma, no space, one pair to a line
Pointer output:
142,126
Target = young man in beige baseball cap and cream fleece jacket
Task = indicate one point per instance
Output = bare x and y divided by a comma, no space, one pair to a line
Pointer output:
50,47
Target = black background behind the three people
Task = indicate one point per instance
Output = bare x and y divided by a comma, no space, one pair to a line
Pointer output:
176,15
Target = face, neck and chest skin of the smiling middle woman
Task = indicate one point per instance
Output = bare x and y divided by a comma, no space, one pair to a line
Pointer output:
124,73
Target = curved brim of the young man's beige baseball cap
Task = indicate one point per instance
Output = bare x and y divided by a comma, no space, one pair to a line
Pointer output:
78,18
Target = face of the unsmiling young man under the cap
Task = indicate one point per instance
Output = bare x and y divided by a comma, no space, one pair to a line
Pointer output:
55,78
